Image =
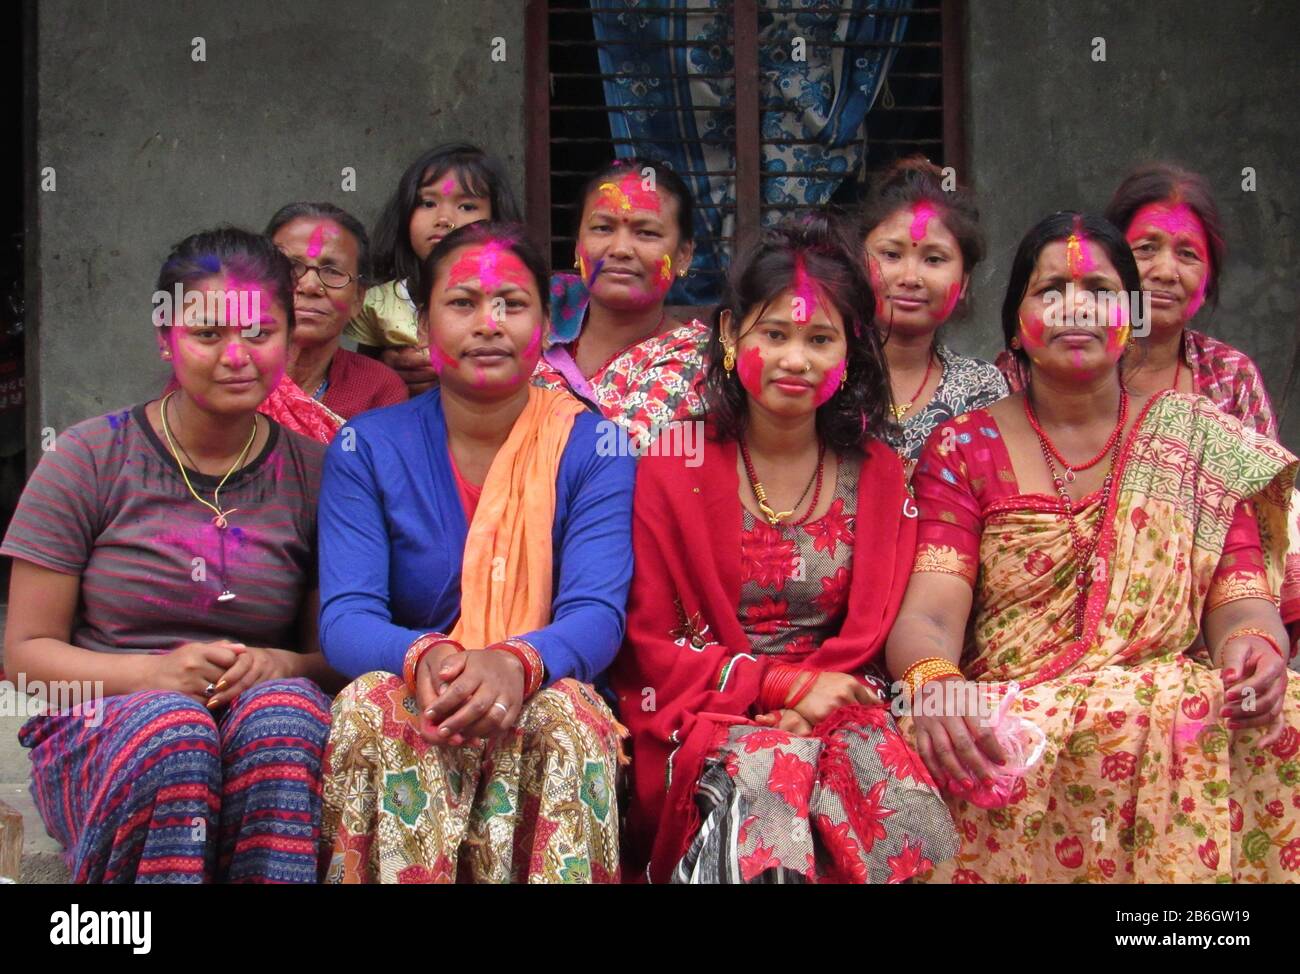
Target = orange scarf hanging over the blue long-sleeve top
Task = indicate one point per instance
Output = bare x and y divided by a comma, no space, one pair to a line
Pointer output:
506,574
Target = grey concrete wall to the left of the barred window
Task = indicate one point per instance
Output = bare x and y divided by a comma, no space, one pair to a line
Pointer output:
150,146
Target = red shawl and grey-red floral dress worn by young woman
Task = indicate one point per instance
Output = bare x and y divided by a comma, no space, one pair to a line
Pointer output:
717,798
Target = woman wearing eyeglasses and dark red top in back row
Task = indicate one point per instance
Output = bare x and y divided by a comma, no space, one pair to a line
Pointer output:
331,256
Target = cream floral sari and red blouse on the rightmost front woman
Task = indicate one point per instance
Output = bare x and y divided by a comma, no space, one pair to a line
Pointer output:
1141,781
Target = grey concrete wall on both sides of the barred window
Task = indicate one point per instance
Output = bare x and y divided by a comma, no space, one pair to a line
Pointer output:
150,146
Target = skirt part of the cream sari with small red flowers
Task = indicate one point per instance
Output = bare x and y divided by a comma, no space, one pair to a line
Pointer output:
1141,782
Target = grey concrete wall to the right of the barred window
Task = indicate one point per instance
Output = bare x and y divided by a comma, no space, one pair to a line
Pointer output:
1212,84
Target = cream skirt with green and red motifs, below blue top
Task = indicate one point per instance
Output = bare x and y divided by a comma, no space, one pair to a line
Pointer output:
538,807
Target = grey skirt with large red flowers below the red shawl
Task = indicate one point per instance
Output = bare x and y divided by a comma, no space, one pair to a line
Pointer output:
850,804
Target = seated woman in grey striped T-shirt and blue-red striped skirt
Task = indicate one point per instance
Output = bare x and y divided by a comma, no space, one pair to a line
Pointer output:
167,555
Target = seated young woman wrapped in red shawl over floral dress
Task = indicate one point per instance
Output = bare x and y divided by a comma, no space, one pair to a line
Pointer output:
768,574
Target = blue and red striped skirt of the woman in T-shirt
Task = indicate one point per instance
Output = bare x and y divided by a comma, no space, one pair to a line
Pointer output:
151,789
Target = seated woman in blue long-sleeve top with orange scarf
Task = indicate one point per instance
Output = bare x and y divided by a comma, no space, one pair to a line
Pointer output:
475,564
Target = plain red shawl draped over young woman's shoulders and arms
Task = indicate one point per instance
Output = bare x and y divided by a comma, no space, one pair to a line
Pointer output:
687,526
